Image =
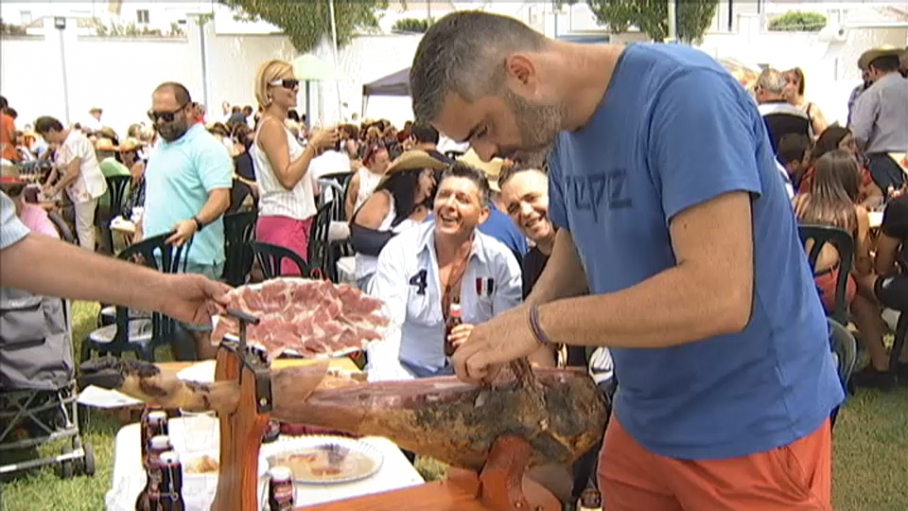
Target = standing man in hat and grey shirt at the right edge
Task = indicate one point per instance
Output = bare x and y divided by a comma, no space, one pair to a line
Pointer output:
880,118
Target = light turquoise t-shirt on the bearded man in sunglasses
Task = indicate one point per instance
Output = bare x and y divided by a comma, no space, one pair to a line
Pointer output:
178,179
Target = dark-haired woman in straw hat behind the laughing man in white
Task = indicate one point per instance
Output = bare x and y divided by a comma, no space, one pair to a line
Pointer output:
402,199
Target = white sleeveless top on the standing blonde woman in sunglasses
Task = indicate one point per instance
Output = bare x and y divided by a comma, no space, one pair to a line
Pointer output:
275,200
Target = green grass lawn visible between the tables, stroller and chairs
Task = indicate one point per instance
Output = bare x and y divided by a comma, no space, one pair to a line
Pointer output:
870,471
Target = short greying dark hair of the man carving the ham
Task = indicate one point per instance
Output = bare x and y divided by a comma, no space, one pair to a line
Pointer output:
464,53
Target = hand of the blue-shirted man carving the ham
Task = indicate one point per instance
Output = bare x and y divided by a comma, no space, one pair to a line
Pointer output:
491,344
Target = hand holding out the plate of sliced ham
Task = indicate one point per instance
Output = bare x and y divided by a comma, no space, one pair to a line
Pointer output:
191,298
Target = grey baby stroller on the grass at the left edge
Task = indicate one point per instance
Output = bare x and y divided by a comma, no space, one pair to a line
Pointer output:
37,384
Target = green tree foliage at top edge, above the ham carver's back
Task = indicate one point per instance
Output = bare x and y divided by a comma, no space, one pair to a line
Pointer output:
651,16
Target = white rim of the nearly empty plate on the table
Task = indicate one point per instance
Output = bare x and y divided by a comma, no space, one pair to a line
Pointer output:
274,451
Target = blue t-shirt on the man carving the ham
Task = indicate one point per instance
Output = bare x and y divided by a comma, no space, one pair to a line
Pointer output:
674,130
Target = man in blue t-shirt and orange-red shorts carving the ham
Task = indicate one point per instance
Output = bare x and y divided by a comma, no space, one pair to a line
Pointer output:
665,190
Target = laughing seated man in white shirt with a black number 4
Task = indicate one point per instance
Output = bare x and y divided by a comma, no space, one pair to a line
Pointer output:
424,270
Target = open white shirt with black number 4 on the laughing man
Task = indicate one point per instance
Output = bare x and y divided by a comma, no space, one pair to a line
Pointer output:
406,279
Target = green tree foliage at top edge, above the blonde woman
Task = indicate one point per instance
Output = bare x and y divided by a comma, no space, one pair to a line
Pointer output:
307,22
